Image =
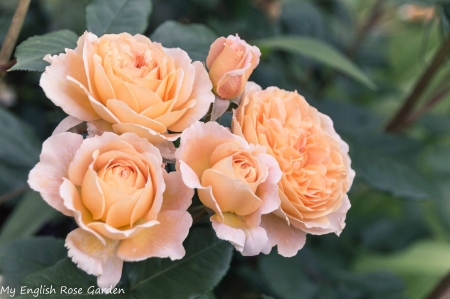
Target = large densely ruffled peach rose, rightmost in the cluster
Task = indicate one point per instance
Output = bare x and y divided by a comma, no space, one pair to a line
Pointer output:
313,158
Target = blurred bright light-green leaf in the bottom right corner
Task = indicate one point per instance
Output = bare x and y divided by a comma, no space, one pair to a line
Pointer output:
421,265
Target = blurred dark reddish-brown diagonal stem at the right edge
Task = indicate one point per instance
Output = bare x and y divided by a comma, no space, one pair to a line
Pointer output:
404,112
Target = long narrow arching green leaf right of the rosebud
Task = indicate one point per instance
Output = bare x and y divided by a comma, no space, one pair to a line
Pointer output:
317,50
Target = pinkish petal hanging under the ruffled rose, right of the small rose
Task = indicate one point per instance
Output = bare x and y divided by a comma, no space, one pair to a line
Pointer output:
288,238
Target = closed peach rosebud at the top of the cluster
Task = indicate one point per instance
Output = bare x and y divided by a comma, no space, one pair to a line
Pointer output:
231,61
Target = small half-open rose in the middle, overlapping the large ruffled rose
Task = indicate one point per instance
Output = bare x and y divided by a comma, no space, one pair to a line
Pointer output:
236,180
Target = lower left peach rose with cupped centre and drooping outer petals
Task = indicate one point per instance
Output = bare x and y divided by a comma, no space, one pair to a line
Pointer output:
126,206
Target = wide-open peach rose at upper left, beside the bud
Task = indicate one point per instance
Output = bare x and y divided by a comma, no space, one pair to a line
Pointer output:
132,83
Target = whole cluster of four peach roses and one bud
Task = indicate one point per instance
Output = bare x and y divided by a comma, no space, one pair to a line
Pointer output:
279,173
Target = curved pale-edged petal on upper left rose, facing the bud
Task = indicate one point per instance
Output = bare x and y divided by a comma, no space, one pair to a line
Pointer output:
202,93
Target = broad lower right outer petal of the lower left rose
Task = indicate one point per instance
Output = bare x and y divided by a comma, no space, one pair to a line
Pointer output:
163,240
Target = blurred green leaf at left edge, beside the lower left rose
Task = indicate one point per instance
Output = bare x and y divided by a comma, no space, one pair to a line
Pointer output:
36,212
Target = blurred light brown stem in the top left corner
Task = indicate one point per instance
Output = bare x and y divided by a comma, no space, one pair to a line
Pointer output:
13,32
